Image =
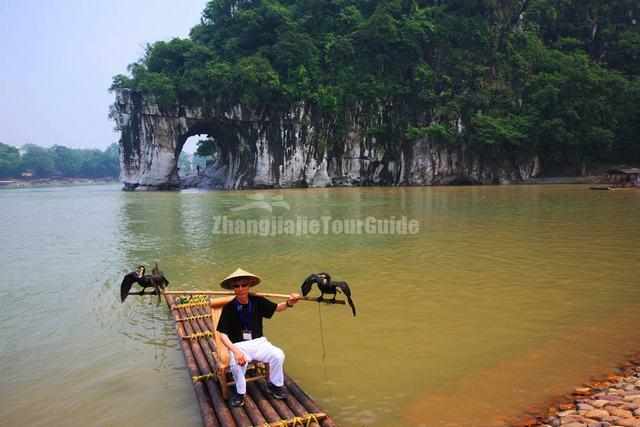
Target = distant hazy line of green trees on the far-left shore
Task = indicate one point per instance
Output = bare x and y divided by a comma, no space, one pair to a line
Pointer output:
58,162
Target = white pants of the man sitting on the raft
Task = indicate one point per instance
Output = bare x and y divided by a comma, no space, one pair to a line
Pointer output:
263,351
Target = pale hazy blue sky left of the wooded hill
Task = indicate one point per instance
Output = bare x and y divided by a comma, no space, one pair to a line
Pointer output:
57,59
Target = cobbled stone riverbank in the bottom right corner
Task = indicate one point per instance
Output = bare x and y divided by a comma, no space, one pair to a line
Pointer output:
611,400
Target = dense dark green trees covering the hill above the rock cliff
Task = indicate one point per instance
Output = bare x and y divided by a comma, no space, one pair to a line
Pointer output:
507,79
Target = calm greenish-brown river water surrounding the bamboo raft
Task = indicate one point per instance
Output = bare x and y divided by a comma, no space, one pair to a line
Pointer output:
505,296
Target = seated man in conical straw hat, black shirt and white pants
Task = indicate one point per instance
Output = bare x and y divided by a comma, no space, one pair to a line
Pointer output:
240,328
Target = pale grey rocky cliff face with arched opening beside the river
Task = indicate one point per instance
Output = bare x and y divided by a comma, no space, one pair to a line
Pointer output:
259,149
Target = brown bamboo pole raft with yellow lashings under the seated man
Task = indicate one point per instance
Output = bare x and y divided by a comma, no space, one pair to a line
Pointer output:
260,408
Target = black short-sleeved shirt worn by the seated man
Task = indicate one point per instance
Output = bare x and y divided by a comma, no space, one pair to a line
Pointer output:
231,321
